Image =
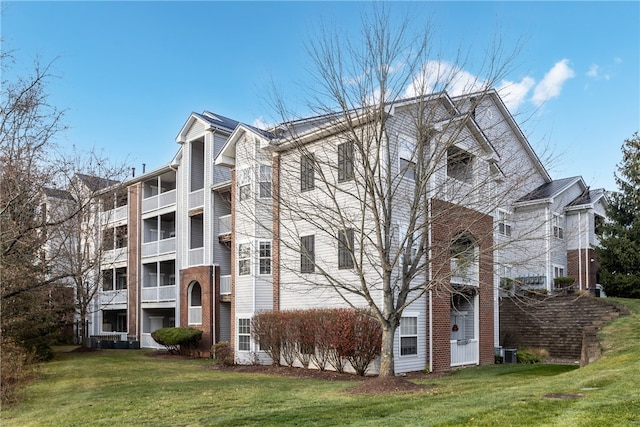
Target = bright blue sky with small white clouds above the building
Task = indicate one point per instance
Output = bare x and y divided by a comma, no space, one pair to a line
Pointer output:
130,73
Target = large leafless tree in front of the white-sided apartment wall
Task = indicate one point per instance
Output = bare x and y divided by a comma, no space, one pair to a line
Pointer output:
394,173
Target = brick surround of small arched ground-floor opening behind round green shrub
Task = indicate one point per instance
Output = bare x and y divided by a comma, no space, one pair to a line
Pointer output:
204,276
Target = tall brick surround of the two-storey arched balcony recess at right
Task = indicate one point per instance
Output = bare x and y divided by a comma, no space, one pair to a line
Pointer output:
449,221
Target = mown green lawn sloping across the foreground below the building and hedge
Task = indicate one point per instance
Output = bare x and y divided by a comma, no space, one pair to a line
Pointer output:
124,387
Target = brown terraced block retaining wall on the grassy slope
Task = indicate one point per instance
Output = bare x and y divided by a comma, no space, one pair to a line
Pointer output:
565,325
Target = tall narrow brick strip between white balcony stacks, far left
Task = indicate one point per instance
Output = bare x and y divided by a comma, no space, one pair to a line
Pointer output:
133,255
